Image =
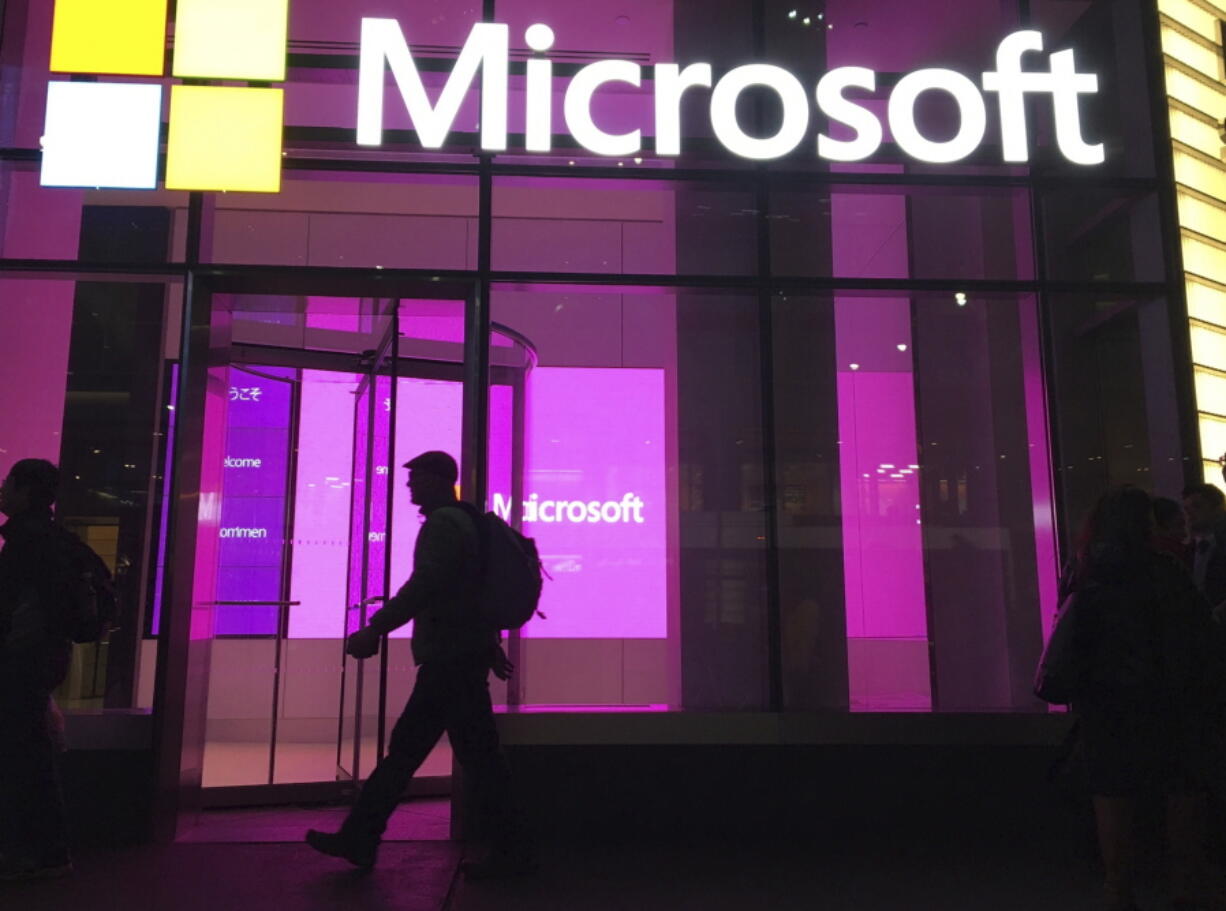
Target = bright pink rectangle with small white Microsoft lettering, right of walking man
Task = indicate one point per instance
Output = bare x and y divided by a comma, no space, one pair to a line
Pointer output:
607,547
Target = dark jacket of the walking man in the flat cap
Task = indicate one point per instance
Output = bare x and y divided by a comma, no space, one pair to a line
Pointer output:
442,598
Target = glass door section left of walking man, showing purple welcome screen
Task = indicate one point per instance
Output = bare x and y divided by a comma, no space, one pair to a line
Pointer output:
299,368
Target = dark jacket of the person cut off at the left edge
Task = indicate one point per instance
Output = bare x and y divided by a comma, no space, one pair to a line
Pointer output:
35,646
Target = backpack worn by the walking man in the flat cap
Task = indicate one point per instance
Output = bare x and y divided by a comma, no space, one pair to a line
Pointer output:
512,572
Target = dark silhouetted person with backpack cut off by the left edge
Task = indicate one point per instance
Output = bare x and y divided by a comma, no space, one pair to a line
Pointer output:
35,652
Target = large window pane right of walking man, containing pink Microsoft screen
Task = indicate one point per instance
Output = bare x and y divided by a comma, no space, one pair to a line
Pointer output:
643,489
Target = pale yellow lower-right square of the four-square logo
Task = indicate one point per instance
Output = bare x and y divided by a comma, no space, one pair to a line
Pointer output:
225,139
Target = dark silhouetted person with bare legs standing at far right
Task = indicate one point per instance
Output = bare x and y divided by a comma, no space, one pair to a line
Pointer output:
1151,692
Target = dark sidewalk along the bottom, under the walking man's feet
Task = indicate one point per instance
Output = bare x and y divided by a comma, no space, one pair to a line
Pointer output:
265,866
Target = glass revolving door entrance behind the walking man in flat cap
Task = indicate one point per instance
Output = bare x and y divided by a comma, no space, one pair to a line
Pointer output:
317,405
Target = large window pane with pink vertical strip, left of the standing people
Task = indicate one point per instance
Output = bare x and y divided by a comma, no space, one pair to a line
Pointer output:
893,454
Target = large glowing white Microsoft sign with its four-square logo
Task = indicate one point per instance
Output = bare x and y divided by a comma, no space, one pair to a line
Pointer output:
230,138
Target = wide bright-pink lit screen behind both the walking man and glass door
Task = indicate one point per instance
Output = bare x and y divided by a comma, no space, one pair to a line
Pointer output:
594,495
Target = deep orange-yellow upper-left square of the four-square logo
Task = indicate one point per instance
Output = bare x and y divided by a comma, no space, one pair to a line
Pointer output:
120,37
